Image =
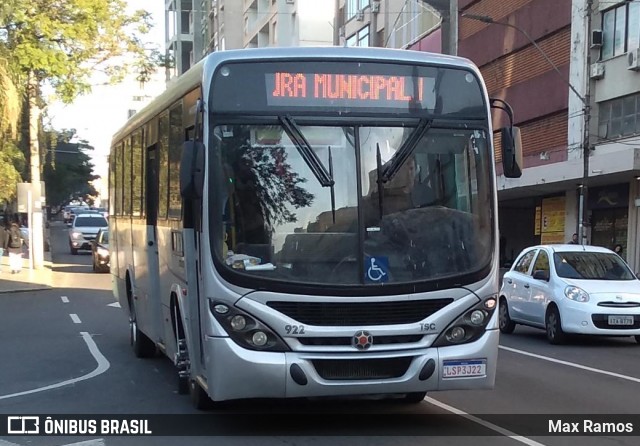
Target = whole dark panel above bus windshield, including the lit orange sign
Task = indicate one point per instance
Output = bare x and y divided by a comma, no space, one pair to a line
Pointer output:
345,87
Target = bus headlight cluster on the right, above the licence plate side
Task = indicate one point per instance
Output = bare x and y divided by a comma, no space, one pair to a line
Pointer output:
469,326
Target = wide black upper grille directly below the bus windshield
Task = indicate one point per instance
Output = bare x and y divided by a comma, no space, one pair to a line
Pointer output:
360,314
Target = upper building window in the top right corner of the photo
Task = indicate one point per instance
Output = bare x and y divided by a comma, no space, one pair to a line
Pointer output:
620,29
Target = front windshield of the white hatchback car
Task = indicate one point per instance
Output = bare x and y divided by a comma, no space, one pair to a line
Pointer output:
591,266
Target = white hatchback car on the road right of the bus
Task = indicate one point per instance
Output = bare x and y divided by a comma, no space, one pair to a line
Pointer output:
571,289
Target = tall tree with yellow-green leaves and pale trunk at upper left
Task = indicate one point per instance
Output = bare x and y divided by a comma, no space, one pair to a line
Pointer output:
62,43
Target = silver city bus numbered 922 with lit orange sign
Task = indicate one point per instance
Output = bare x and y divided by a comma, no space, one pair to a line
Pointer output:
309,222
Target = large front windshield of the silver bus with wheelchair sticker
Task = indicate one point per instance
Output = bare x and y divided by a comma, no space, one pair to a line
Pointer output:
278,220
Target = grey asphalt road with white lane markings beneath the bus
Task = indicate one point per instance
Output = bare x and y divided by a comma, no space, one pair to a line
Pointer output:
66,351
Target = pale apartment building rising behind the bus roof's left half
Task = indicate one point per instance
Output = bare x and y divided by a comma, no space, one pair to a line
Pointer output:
196,27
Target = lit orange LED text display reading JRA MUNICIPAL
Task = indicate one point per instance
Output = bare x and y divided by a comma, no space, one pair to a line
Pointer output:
349,90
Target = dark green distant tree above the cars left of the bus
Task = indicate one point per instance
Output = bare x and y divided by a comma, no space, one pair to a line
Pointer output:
68,171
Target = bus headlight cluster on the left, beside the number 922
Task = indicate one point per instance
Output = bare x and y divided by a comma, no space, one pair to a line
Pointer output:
245,330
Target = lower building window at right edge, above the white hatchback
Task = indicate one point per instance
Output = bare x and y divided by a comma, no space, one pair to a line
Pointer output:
620,117
